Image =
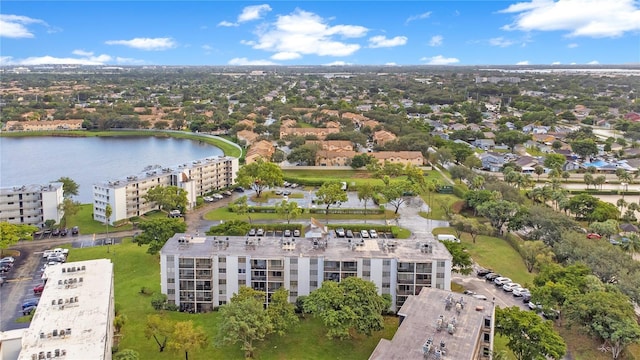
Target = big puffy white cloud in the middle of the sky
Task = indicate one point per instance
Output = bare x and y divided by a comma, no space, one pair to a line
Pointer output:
306,33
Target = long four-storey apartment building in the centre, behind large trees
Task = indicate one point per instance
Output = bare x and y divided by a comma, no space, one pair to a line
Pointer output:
199,273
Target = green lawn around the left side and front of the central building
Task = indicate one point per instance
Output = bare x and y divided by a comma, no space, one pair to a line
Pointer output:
134,269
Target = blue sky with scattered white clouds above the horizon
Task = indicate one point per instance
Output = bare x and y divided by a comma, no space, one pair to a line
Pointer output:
532,32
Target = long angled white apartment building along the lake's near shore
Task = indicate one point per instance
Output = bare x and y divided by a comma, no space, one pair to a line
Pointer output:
197,178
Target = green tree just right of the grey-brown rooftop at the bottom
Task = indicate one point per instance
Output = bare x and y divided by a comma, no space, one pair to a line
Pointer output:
529,336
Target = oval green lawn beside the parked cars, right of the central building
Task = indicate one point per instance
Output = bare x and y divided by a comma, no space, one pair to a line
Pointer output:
495,253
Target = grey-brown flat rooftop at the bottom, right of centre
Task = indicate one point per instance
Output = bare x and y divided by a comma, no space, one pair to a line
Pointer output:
421,319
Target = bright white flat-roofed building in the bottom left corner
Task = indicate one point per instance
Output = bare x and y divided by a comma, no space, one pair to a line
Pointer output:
74,317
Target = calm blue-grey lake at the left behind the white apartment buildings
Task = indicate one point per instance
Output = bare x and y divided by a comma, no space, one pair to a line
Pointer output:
40,160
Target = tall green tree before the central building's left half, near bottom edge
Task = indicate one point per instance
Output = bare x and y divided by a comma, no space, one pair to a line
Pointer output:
244,320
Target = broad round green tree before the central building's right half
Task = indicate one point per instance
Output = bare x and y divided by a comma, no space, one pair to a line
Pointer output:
353,303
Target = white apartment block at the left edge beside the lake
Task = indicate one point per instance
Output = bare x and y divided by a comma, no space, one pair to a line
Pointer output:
31,204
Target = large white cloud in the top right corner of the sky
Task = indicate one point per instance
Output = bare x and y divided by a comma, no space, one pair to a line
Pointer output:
591,18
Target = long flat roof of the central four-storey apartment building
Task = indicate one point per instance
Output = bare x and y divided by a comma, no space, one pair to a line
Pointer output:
414,249
